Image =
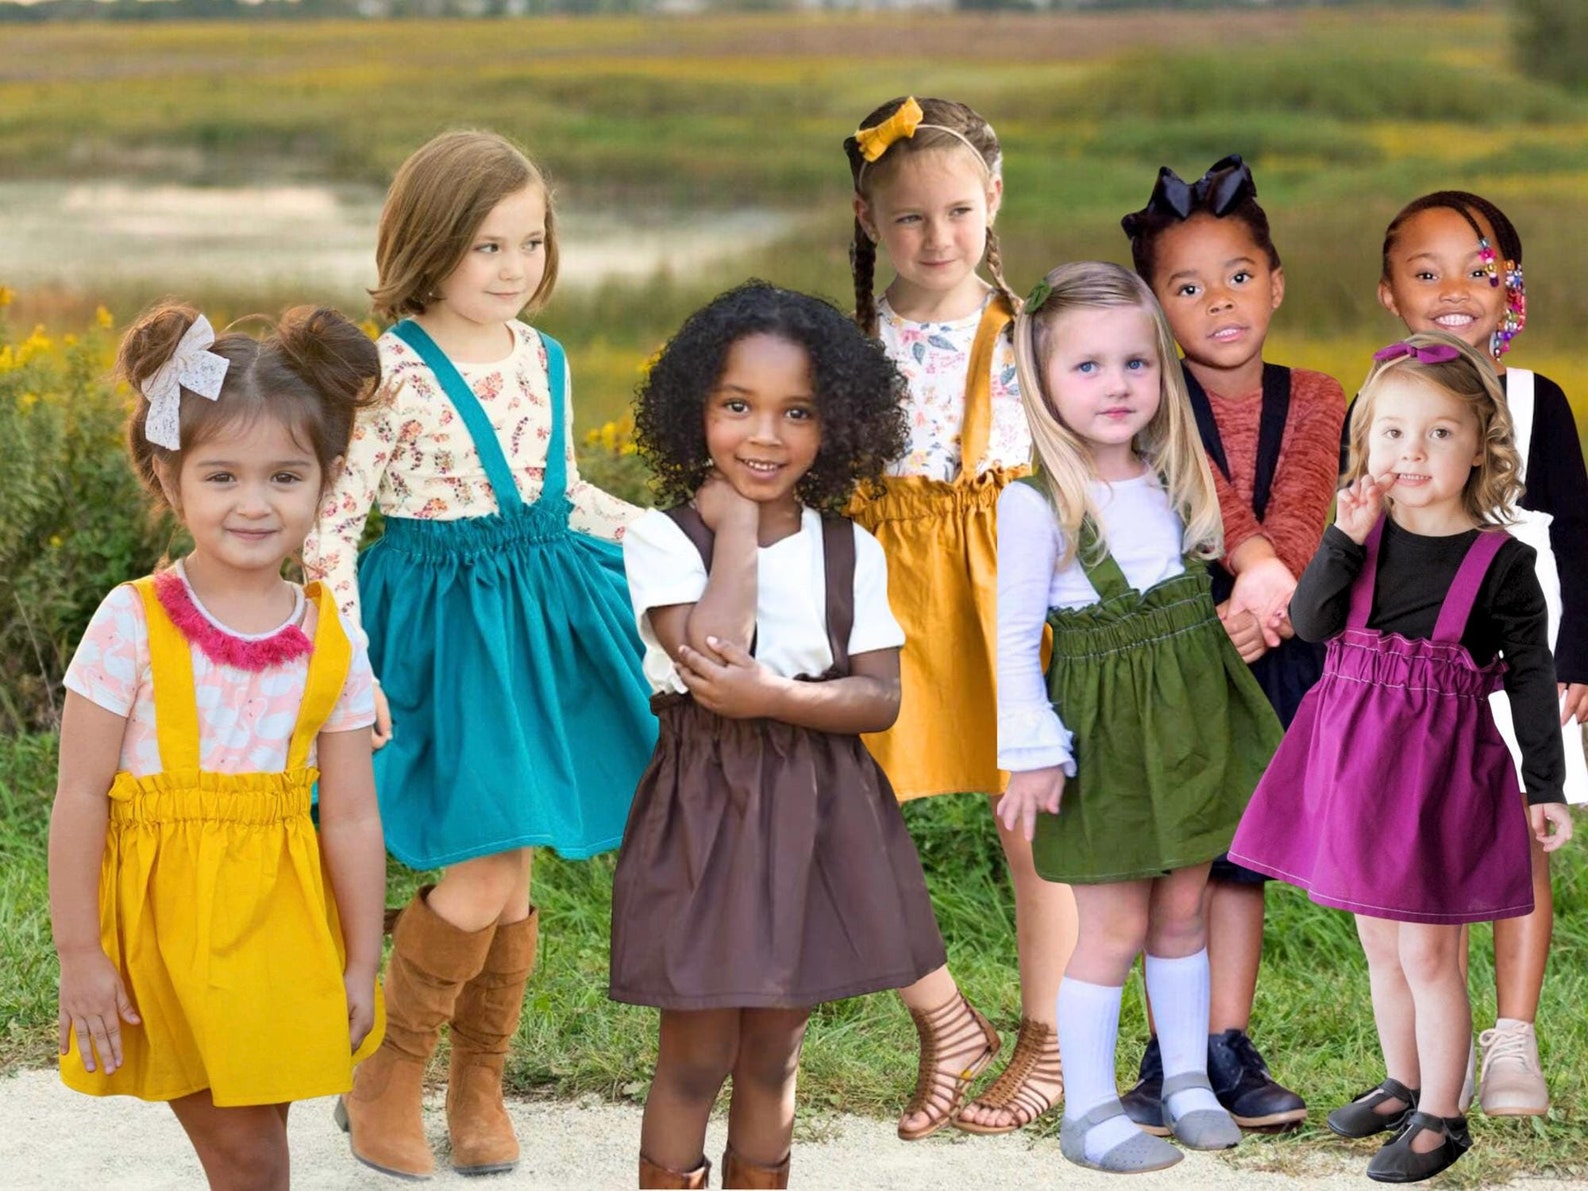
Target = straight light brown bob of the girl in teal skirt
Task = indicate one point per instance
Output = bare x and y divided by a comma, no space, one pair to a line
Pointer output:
434,209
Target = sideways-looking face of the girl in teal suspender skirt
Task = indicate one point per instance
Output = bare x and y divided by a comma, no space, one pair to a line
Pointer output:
503,268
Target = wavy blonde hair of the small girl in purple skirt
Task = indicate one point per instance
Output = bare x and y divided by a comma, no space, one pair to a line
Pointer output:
1495,485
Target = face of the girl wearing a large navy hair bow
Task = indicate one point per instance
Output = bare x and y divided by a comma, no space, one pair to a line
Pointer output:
1219,291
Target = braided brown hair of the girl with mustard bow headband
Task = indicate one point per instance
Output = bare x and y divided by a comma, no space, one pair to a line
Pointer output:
944,126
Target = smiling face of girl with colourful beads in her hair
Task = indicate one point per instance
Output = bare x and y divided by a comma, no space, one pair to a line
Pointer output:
1438,280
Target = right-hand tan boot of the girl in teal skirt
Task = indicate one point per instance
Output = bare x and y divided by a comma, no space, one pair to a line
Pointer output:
484,1027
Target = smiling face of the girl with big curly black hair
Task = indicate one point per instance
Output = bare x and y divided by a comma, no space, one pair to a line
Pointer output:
761,423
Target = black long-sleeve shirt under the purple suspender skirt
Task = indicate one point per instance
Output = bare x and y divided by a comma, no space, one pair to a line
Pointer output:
1508,619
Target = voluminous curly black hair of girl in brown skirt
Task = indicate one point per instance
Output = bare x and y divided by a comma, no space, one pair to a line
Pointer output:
860,395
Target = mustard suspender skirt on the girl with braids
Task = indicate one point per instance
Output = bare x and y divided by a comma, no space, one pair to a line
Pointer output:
942,582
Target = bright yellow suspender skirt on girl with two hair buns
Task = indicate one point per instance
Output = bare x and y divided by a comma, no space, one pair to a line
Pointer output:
217,911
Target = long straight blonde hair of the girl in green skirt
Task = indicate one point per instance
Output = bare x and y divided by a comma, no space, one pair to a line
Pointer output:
1170,444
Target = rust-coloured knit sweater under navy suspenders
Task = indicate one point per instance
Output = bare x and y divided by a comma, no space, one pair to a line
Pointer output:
1305,480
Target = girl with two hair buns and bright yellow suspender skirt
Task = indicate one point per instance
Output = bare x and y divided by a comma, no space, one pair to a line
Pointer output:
214,952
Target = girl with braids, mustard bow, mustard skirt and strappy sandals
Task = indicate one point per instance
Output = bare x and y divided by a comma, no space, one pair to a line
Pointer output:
928,183
